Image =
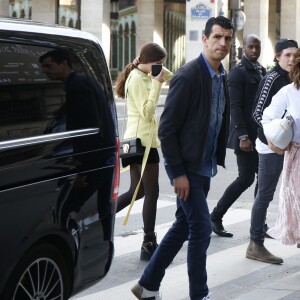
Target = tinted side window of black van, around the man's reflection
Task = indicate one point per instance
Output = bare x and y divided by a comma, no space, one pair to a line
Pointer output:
32,104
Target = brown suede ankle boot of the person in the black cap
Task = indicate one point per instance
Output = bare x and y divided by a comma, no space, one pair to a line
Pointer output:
259,252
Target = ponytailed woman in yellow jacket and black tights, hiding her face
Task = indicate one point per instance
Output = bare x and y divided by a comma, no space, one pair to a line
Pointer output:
141,90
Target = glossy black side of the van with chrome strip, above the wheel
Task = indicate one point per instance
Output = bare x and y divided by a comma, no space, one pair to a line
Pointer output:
55,180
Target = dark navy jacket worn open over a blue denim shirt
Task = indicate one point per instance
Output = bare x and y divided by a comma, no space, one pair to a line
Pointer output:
185,120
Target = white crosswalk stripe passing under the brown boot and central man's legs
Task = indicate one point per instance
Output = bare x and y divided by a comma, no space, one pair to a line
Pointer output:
234,264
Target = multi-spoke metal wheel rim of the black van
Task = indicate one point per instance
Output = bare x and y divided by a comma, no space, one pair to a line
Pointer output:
42,280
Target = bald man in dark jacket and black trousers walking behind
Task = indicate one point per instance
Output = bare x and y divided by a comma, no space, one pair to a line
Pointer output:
243,82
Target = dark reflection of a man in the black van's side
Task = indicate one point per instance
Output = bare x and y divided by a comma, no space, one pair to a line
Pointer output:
85,106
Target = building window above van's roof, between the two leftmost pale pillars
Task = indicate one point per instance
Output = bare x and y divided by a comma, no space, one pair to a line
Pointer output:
69,13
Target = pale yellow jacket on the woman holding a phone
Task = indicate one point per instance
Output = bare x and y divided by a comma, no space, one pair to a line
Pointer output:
141,101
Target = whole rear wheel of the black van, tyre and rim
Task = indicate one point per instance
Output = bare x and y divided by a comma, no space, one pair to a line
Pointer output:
41,274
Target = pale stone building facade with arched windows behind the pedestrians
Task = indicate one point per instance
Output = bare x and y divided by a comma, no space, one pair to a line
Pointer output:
123,26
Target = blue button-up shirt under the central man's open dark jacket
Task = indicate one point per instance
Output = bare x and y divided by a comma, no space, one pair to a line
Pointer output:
209,167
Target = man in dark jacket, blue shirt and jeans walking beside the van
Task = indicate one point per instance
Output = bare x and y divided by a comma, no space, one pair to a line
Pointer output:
193,133
